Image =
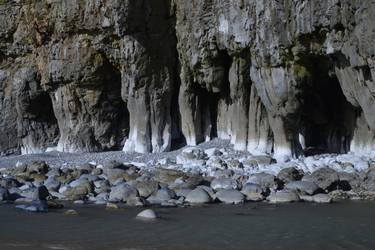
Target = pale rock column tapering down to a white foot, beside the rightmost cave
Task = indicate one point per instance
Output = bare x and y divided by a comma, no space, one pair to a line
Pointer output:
277,88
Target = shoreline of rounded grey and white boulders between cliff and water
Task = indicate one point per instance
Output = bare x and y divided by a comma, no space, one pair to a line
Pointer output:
204,174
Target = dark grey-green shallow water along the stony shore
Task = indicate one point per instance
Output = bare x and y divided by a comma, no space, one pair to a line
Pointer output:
293,226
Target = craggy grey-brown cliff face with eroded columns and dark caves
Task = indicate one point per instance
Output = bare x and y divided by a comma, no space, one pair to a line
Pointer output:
283,77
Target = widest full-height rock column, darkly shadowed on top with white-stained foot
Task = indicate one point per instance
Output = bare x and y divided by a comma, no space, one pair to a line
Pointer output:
148,74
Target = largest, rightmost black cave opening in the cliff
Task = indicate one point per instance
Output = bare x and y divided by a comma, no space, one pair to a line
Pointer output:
327,119
